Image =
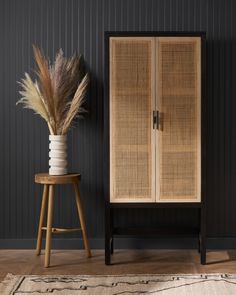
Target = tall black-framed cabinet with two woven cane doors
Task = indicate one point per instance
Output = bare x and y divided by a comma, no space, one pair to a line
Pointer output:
153,123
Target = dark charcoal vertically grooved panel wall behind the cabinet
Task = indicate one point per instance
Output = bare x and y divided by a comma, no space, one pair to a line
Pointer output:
79,25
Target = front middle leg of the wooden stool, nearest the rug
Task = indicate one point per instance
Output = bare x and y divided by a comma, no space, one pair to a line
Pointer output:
49,226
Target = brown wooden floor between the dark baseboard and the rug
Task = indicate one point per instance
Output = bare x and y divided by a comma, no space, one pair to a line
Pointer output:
125,261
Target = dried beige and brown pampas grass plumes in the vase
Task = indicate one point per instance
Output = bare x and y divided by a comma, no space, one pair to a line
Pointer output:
59,93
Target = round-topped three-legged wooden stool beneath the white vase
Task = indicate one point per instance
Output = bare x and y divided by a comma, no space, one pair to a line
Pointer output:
48,193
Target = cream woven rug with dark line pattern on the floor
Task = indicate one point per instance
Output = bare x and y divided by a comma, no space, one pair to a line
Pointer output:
129,284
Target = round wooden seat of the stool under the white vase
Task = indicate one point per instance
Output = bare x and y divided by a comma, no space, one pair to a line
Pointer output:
45,178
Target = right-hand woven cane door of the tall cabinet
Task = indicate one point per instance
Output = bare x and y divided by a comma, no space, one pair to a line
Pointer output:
179,103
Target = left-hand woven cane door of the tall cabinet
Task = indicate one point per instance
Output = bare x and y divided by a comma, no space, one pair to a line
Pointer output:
132,138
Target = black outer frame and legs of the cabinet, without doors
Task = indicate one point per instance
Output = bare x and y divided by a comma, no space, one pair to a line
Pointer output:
110,231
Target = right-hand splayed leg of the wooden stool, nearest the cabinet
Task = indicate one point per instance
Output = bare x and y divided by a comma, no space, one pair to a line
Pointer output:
81,218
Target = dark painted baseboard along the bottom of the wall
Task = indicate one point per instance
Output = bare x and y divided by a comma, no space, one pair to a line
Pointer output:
124,243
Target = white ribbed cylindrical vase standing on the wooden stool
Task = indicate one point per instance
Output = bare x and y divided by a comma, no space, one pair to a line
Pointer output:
57,155
